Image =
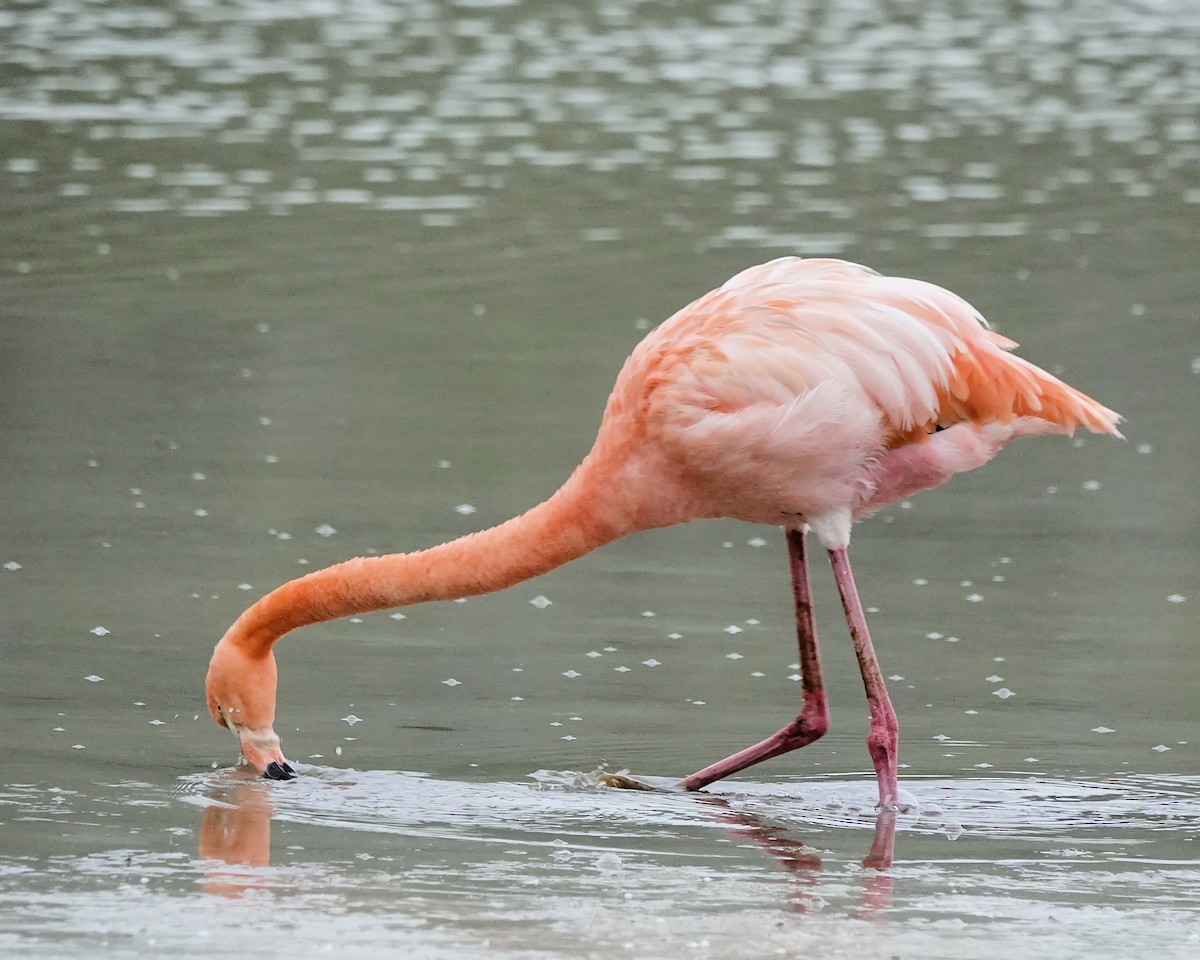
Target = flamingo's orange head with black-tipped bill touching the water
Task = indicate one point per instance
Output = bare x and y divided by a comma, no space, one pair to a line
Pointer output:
241,689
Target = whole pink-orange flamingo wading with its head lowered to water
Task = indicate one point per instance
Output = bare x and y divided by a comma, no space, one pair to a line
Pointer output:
806,394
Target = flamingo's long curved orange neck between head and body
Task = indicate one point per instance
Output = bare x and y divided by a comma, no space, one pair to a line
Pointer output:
573,523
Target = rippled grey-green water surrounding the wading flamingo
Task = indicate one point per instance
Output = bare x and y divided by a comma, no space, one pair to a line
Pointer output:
283,285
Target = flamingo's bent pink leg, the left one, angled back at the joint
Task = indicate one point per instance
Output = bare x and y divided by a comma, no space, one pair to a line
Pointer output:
814,718
